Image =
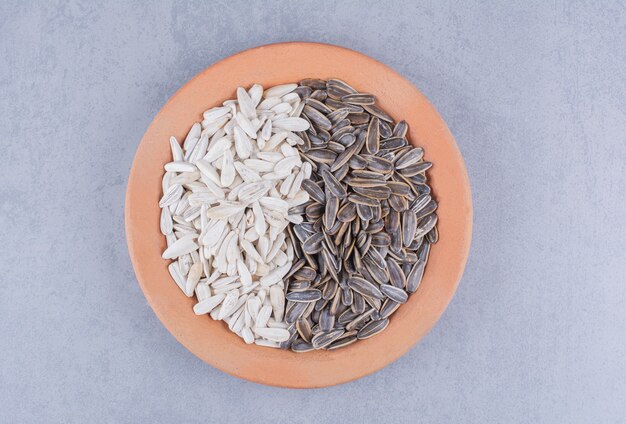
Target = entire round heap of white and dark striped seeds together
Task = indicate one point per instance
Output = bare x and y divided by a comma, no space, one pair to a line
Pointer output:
299,215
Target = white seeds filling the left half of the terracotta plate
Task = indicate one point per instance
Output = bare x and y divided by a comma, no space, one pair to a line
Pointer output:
225,210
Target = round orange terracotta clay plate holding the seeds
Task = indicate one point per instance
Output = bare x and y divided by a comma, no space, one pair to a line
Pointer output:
275,64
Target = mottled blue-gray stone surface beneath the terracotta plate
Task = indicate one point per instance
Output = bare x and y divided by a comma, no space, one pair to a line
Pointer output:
535,96
